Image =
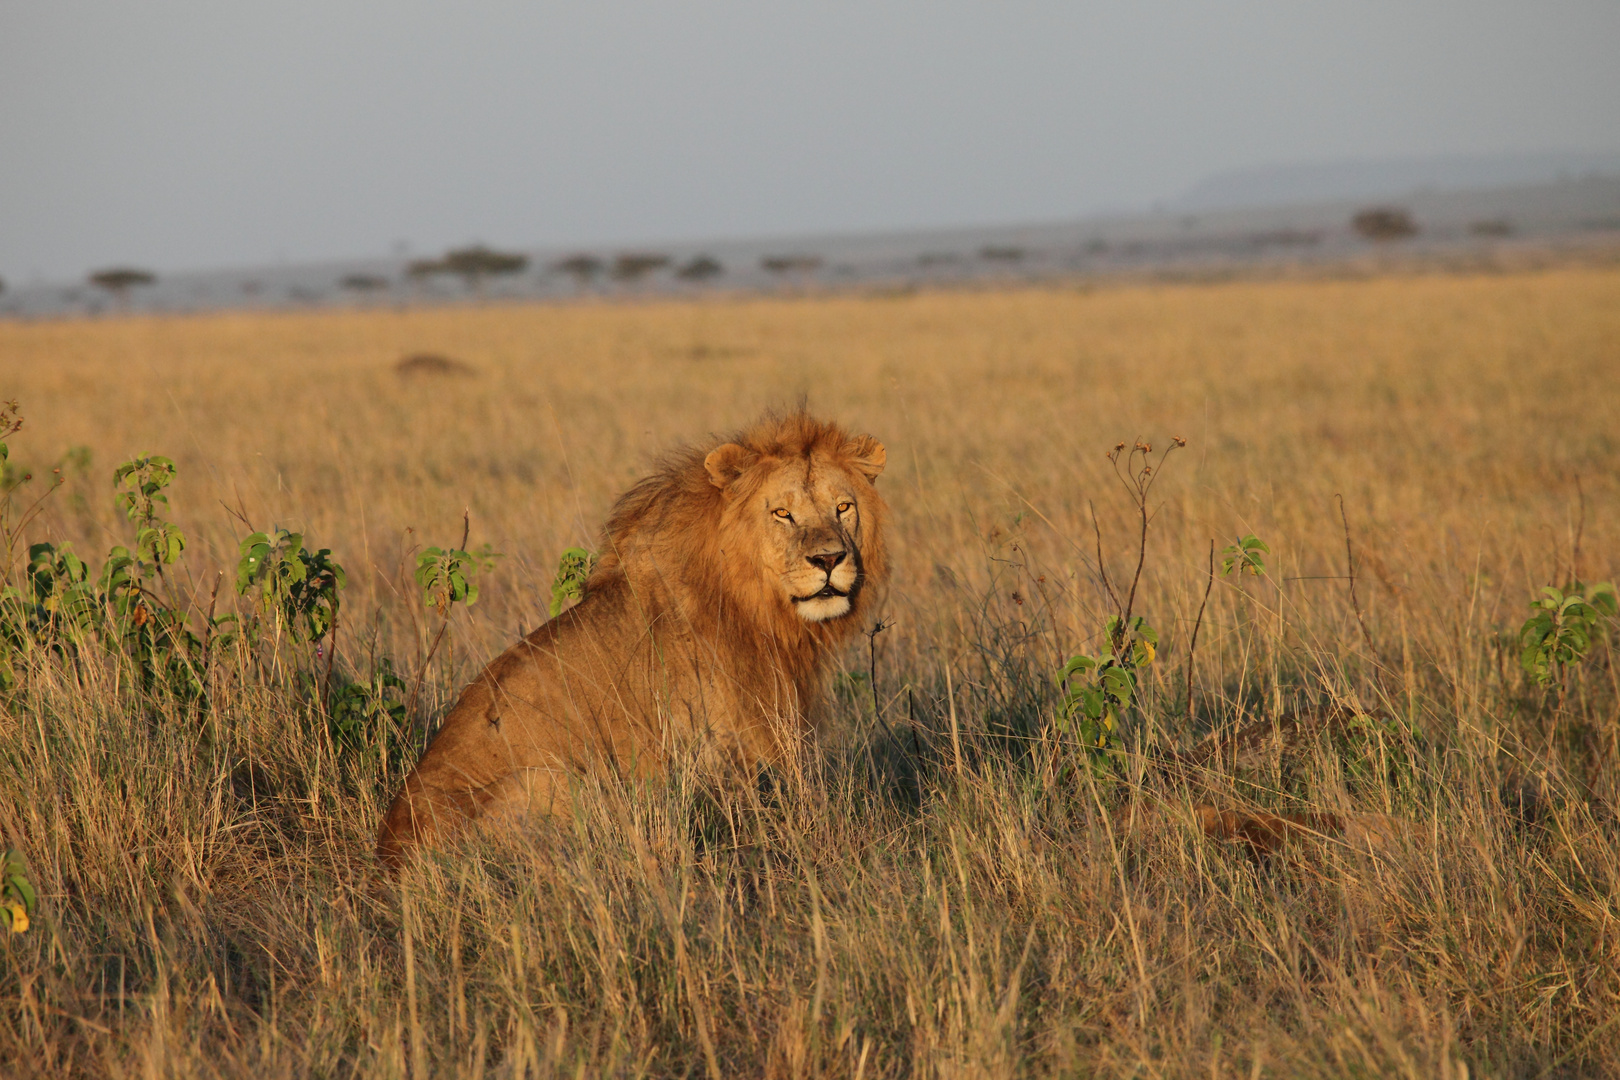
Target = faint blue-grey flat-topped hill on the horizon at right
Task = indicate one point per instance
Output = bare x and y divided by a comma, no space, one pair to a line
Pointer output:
1388,179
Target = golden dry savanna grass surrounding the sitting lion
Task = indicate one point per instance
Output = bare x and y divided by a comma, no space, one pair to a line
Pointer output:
910,903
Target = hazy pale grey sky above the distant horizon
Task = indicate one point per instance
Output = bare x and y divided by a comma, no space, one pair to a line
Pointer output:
195,135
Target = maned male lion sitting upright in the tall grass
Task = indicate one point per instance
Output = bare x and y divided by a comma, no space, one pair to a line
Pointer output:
728,580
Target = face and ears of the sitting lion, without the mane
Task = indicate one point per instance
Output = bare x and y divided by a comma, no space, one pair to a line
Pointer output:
804,519
